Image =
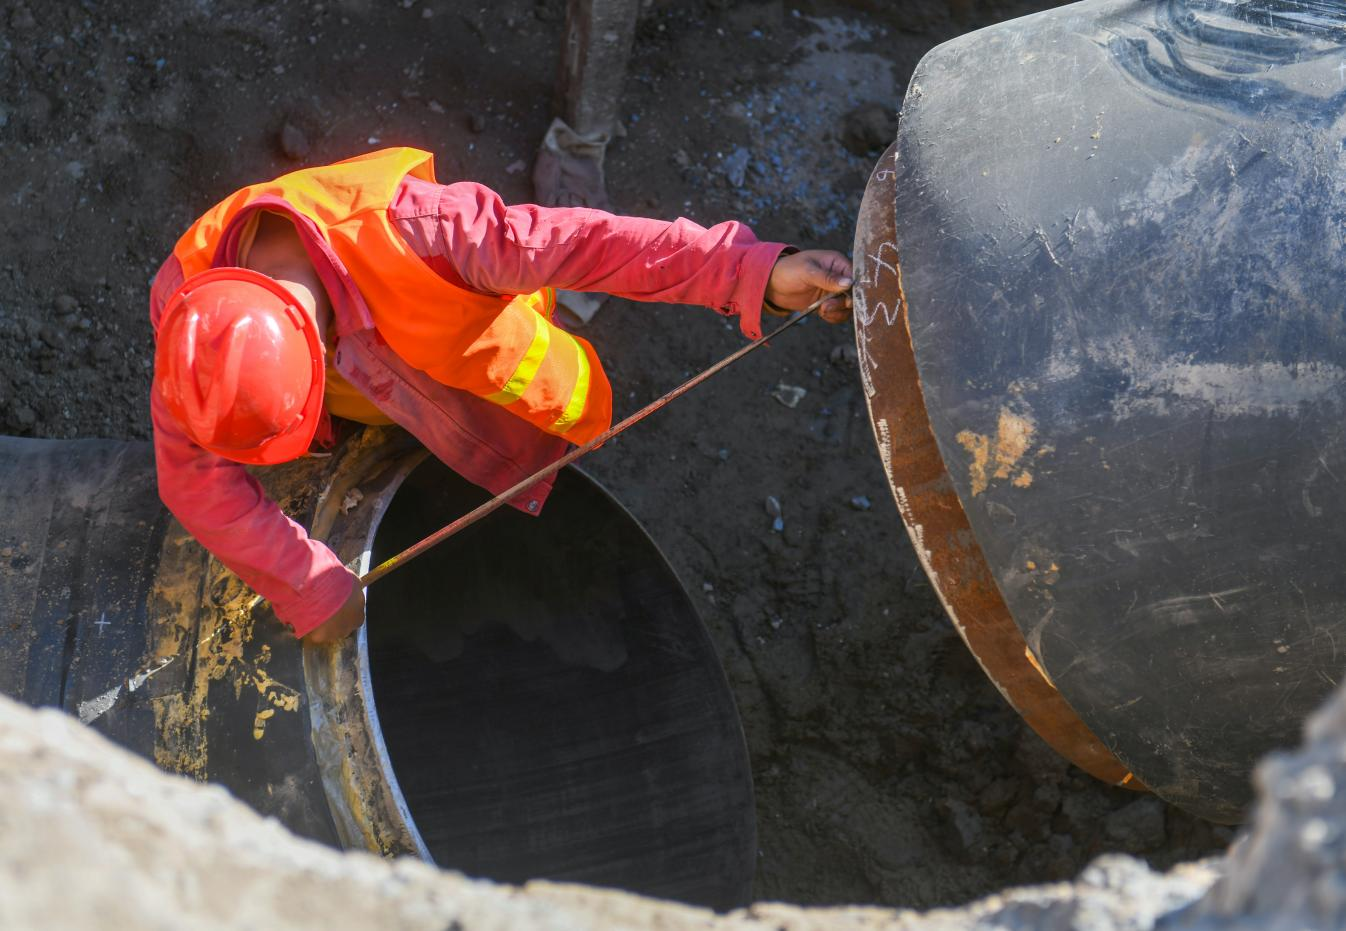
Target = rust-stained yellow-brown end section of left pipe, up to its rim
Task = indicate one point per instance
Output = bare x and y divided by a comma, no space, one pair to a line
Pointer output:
208,632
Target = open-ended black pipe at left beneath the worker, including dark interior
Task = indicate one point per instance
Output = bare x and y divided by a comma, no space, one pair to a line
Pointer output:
536,700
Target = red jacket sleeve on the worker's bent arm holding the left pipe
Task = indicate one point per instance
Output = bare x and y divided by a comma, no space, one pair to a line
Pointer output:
227,511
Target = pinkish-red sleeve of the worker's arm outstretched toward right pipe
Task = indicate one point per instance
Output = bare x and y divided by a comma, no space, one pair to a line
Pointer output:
504,250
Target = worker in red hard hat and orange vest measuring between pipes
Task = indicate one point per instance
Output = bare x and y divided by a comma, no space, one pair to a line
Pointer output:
365,291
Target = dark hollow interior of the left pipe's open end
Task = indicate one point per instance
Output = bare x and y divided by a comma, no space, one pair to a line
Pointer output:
551,703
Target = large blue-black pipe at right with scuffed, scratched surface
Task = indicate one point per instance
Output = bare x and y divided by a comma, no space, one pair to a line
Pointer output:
1117,255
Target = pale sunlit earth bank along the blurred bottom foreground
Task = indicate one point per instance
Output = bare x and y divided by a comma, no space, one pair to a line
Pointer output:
94,837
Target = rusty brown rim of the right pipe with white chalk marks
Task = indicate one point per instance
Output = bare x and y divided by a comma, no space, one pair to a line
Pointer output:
927,500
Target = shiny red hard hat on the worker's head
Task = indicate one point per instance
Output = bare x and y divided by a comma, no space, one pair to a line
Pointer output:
240,367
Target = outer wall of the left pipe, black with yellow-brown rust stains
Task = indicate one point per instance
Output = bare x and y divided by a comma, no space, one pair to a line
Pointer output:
123,620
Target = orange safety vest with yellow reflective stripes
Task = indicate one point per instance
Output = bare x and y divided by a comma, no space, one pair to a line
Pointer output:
504,349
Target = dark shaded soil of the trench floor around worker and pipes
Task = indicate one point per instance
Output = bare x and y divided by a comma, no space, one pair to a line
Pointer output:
888,769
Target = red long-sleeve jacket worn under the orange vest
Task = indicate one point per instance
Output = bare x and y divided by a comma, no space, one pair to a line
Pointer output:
469,236
